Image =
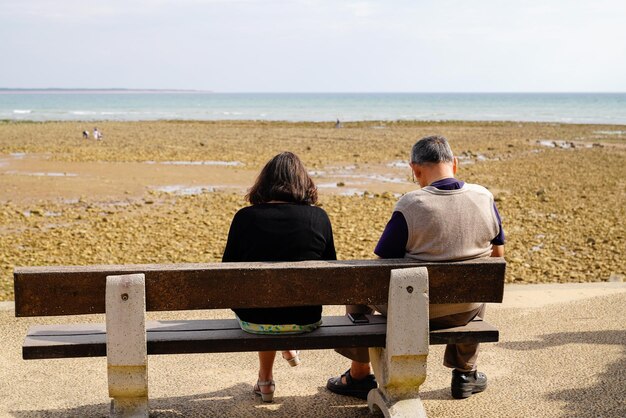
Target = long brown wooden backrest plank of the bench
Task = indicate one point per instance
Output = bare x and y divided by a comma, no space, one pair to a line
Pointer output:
75,290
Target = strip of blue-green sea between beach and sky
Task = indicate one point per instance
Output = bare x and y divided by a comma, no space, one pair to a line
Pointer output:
129,105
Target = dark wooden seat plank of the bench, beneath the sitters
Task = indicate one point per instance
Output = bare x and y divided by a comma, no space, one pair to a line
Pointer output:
216,336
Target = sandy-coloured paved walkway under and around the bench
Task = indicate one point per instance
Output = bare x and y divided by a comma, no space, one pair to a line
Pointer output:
562,354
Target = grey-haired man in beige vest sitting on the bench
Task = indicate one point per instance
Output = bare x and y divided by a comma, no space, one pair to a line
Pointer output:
445,220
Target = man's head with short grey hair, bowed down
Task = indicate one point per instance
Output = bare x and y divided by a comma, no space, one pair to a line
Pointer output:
432,160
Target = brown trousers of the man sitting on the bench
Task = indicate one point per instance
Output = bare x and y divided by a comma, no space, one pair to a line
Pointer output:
458,356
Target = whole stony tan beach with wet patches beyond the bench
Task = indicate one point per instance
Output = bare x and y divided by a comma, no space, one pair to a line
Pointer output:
165,192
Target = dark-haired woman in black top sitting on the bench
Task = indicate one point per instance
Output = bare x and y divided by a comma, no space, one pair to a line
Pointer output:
282,224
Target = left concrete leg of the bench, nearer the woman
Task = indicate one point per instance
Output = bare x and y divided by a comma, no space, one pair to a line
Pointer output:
127,357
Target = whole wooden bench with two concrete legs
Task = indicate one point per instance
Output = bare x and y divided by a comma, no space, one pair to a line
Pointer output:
399,342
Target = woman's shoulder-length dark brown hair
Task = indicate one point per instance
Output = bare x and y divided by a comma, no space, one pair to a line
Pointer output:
285,179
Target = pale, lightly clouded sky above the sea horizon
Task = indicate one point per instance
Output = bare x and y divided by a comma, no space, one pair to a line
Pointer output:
315,45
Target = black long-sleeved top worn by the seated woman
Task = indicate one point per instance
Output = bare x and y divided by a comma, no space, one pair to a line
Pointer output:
280,232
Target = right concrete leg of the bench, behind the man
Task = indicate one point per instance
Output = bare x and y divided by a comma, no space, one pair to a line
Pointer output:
400,368
